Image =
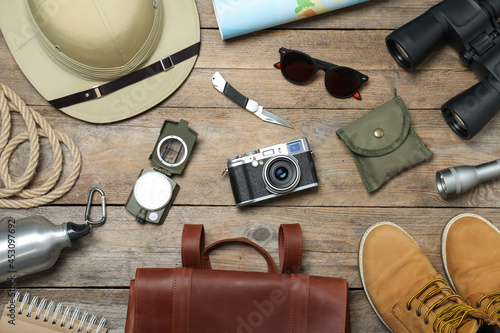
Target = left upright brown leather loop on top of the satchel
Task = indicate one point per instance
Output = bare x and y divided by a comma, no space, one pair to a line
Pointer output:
193,243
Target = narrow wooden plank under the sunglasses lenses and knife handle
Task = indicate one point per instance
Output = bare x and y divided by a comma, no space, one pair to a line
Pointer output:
422,90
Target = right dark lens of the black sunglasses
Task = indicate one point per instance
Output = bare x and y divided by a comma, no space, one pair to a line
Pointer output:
343,81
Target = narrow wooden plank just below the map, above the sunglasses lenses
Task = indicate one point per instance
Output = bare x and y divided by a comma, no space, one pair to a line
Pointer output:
342,47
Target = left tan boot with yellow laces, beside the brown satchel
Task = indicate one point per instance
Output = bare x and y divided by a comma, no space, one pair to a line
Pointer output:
405,290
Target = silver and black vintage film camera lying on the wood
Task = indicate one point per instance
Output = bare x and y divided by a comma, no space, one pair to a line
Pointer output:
272,171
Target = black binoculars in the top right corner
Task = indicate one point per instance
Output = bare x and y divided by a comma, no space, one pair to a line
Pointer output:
471,28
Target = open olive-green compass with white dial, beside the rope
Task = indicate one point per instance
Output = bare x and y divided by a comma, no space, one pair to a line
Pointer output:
154,191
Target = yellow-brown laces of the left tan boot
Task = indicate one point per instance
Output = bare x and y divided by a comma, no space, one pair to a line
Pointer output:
448,319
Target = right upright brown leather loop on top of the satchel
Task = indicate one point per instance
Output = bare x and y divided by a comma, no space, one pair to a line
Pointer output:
290,248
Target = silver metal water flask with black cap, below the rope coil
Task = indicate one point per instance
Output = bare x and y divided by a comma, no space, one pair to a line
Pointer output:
33,244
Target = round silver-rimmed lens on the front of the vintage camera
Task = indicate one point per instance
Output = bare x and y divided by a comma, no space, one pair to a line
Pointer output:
281,174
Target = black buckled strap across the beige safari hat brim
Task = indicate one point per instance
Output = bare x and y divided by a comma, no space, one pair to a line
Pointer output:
96,92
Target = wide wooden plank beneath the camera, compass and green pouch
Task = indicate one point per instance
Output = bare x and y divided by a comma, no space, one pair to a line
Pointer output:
113,156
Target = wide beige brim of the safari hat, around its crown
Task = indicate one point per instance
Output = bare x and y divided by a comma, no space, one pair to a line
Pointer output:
181,28
